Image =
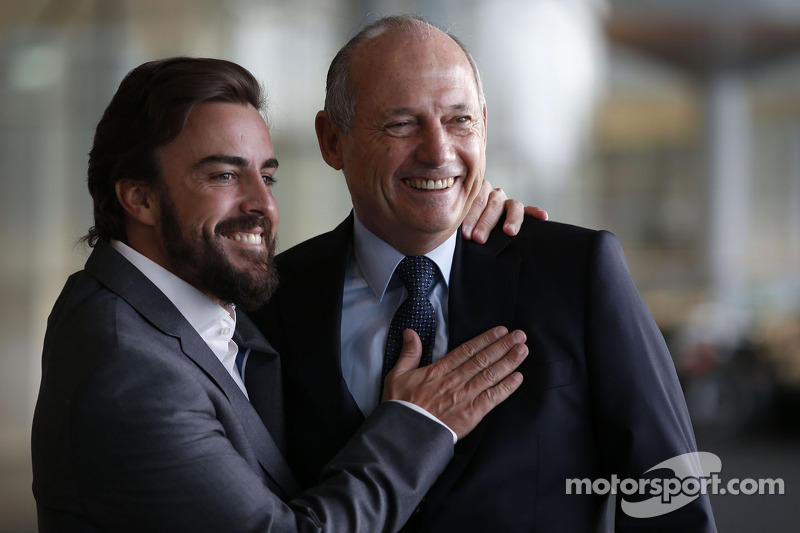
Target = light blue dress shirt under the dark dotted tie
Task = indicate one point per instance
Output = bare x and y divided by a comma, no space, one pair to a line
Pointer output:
371,296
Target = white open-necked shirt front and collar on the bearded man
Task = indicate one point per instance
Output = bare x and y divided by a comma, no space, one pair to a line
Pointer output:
211,321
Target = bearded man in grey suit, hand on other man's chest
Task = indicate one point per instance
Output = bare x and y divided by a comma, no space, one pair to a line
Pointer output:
143,421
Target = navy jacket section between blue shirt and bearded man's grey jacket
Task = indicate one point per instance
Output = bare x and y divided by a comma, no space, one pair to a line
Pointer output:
303,320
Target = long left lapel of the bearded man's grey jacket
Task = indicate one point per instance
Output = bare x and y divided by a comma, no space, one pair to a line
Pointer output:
120,276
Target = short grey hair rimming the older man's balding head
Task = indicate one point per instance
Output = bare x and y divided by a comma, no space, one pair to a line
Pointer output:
340,97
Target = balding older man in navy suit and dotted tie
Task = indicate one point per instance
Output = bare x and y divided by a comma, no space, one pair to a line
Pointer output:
405,120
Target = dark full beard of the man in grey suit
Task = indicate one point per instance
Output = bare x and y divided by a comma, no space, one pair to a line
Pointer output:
201,259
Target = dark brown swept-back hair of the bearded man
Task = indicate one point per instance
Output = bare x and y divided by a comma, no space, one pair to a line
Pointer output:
147,112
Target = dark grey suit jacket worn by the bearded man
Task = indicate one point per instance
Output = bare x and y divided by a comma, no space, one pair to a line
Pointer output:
138,427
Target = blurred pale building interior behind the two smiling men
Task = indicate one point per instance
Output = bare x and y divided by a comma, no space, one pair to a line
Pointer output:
673,123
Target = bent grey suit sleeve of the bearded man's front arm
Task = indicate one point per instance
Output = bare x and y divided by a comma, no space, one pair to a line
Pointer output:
155,447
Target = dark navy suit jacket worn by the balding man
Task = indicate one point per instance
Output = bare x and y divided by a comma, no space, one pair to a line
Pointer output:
600,394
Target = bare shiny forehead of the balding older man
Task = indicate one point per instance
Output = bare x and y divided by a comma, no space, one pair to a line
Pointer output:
404,63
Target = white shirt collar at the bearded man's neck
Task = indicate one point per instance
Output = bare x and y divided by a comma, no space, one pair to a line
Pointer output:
206,316
